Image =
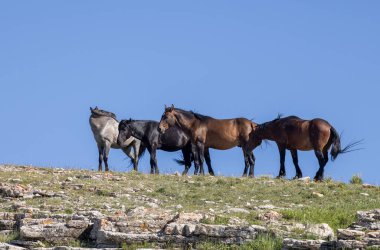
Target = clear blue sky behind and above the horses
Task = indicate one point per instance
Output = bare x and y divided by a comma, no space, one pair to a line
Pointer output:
221,58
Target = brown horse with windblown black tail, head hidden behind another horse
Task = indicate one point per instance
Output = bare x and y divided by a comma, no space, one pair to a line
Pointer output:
293,133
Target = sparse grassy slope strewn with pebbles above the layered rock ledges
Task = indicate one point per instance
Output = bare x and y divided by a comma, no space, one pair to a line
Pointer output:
330,202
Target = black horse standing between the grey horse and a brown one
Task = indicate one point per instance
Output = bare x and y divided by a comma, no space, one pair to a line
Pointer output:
173,139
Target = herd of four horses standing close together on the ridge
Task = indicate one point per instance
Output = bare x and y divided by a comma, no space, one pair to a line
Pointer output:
194,134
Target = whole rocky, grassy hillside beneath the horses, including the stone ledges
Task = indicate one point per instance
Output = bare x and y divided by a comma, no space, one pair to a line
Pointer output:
50,207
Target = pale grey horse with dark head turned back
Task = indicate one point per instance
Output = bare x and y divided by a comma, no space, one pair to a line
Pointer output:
104,126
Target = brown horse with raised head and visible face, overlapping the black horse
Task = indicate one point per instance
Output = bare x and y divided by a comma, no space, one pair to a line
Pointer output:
207,132
